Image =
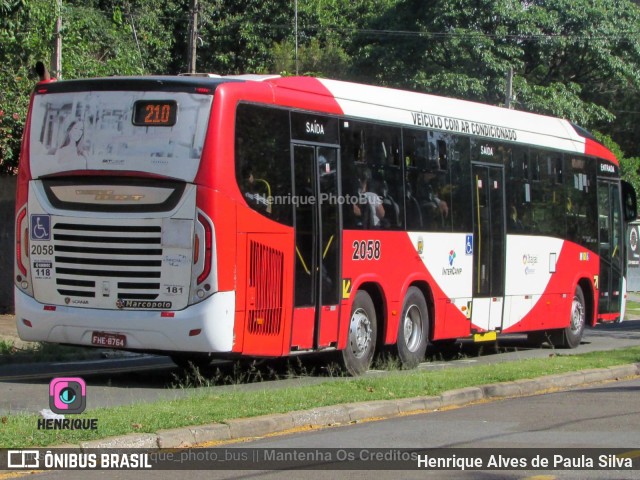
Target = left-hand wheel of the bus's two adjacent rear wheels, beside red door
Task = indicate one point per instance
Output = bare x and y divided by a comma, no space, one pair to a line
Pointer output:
361,343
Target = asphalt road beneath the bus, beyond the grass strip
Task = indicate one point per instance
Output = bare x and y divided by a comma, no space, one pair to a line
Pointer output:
148,378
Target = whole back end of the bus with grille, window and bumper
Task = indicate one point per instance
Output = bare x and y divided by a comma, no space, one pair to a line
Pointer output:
112,246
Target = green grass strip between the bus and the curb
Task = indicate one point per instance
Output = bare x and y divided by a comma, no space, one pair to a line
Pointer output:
208,405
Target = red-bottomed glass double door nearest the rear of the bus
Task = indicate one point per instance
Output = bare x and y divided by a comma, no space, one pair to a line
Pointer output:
317,249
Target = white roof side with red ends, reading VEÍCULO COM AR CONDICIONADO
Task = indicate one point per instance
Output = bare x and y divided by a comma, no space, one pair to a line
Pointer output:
444,113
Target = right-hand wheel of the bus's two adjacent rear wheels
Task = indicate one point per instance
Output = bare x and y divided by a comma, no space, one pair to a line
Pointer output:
413,329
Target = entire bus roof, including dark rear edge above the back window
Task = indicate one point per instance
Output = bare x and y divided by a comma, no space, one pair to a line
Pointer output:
378,103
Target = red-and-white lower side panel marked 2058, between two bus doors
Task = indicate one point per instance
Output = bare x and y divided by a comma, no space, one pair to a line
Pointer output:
398,266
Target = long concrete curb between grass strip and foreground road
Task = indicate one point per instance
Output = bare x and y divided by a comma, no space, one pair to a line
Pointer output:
345,414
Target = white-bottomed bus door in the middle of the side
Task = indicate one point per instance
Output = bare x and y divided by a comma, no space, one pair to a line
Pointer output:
489,247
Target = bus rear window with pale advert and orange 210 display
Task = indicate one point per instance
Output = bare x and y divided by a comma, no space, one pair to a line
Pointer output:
154,132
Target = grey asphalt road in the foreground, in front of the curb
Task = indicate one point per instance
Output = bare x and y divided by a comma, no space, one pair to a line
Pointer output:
601,417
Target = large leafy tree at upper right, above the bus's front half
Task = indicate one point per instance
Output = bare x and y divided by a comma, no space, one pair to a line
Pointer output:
572,58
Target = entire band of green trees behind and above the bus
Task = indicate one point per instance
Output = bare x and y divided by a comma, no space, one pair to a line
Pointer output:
577,59
